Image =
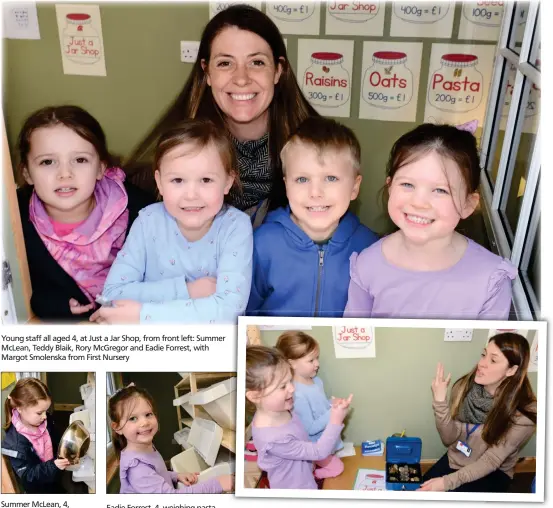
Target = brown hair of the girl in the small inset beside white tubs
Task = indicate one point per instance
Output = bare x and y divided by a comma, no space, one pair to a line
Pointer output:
120,406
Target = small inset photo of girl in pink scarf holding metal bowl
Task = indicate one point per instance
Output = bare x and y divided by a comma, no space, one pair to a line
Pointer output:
48,432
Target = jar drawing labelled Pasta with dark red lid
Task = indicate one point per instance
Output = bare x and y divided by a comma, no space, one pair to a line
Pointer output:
458,85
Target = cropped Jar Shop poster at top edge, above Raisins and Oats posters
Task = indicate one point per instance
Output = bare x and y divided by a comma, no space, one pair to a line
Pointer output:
355,18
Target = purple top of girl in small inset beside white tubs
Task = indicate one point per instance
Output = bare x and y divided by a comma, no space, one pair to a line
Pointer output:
146,473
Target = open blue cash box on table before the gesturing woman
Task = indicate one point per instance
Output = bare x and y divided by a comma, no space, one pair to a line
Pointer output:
403,456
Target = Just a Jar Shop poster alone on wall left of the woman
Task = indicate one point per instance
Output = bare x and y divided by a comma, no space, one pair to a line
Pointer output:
81,40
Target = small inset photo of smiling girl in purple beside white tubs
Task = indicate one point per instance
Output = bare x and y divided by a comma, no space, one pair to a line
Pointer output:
171,432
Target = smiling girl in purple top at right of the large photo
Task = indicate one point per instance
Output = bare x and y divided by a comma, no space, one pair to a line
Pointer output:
426,269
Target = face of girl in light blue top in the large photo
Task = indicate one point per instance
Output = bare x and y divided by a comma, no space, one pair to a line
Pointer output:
193,183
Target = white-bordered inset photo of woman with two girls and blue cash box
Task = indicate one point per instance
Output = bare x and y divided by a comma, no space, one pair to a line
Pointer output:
359,408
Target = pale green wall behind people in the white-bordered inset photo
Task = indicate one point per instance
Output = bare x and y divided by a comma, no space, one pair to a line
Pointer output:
391,392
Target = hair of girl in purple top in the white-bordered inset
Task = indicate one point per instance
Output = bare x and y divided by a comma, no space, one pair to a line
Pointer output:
260,360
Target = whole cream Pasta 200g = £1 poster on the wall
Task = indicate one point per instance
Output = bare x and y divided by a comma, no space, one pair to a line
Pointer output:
458,83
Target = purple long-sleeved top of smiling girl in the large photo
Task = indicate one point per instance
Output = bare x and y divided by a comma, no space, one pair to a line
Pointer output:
478,286
